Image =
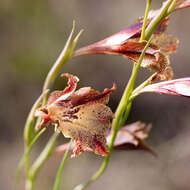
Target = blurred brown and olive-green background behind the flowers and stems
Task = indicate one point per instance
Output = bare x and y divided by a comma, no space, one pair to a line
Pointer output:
32,34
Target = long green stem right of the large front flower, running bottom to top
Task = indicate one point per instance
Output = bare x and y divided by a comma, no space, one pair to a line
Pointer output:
125,103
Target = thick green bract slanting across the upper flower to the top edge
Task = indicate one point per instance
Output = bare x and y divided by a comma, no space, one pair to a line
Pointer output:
158,19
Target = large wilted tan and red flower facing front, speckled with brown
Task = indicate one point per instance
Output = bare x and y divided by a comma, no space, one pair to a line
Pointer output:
81,115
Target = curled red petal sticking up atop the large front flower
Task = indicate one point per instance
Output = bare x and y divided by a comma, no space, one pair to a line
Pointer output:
57,96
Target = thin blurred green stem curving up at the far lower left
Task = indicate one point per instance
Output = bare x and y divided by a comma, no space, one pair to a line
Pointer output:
25,156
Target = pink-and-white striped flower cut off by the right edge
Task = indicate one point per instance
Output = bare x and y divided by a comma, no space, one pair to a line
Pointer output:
178,87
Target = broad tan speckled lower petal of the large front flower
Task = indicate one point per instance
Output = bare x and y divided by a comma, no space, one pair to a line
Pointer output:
89,128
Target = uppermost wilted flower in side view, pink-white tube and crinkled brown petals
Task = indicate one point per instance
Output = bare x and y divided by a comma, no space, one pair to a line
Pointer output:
126,43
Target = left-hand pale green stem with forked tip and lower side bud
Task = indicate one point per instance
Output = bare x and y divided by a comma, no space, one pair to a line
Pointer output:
28,131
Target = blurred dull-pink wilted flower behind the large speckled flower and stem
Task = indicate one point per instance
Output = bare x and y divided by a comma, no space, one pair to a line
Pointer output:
129,137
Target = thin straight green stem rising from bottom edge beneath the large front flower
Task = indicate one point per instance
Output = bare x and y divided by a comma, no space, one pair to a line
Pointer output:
61,167
